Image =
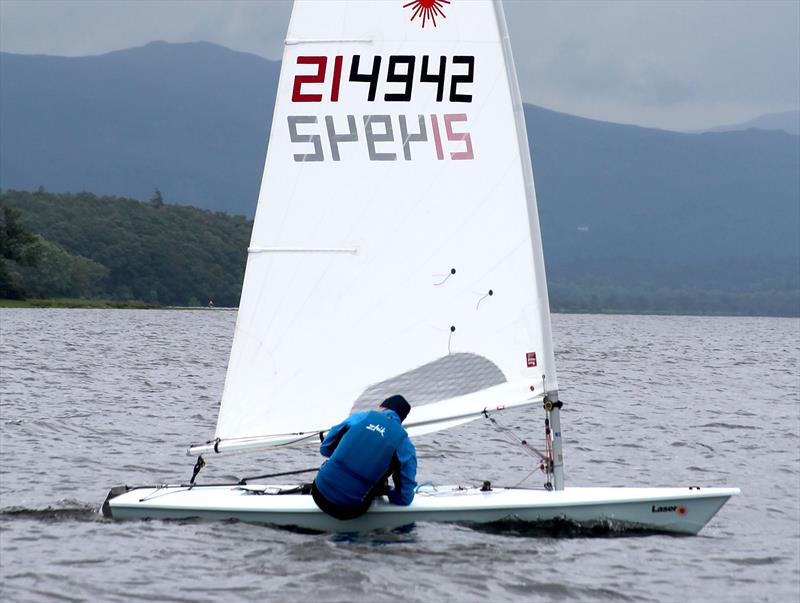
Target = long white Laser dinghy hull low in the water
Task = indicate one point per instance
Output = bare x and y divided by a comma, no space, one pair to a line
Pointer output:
680,510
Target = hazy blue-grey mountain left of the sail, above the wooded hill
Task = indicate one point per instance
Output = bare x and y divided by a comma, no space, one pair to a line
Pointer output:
190,119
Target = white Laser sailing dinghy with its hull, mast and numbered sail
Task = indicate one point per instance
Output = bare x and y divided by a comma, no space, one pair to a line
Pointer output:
396,250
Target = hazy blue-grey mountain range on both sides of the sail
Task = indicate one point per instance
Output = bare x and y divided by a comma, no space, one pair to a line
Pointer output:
619,205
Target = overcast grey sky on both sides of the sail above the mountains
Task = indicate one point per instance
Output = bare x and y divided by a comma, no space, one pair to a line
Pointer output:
671,64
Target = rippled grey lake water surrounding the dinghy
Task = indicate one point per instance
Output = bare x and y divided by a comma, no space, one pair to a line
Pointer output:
95,398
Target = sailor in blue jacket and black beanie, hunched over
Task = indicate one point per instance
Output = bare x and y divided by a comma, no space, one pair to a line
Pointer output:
364,450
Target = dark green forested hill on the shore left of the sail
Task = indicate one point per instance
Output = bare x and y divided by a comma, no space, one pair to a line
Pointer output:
127,250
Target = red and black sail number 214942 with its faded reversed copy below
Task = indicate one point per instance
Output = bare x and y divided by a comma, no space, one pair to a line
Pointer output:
388,136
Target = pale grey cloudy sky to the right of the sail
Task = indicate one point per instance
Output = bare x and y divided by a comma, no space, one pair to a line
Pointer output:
738,58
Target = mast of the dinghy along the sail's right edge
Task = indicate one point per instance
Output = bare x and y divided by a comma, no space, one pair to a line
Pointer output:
553,409
